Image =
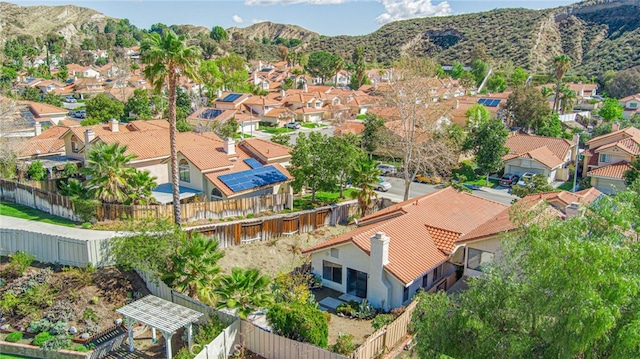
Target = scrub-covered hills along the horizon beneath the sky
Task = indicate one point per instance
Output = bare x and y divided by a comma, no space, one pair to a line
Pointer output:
597,35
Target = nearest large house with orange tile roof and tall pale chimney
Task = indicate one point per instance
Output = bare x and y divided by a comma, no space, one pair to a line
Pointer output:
412,245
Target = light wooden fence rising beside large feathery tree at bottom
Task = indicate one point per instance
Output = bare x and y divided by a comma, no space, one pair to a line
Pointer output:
387,337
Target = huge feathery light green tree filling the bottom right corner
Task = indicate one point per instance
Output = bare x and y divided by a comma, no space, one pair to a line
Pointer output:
590,282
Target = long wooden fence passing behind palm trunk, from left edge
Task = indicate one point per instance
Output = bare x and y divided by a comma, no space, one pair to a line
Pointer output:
48,201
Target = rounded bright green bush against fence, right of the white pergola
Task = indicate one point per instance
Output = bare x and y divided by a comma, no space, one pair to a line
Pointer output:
299,321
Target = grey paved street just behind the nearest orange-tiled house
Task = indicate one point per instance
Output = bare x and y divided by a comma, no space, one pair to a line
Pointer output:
396,193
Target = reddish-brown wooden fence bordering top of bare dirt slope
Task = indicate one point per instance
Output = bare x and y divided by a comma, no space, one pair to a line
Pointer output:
267,228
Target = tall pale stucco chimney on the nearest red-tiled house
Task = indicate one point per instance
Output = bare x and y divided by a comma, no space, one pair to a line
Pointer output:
378,287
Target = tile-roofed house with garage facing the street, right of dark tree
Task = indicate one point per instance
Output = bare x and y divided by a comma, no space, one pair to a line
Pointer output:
548,156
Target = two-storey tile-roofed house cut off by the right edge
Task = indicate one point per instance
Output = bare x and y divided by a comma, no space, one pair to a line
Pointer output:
607,158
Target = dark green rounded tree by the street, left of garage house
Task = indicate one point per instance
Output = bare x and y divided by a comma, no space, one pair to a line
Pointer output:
487,142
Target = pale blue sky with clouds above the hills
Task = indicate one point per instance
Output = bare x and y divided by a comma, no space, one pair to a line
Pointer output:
326,17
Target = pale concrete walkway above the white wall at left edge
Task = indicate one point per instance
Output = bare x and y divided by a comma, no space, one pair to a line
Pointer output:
52,229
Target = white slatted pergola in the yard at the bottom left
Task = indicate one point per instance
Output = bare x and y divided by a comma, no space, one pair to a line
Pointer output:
159,314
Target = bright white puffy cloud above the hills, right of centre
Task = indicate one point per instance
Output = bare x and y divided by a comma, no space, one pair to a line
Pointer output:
408,9
